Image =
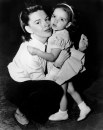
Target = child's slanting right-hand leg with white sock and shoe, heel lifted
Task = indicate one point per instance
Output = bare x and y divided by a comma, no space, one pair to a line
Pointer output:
84,109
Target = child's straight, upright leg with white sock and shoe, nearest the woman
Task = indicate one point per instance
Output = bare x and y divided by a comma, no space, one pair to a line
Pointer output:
62,113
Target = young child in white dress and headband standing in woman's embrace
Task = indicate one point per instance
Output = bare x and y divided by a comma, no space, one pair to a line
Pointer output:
62,19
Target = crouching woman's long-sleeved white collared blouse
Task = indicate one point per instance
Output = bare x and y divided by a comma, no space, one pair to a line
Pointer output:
25,66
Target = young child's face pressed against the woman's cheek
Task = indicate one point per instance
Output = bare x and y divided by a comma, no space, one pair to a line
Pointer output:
59,19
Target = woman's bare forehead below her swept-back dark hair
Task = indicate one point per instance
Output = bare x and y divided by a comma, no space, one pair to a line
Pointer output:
40,14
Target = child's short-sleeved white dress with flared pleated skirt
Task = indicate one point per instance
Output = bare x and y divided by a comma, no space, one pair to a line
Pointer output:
72,66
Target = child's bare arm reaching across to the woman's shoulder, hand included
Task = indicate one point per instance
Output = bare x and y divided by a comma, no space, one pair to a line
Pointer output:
47,56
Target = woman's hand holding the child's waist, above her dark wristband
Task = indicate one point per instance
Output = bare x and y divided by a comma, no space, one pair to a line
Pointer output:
63,56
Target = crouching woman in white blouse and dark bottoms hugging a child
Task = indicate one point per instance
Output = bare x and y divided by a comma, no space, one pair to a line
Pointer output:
30,89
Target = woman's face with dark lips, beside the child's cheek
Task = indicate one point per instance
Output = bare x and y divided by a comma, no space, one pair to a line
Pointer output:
39,24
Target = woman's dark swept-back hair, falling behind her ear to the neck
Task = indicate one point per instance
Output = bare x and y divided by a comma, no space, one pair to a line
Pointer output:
24,18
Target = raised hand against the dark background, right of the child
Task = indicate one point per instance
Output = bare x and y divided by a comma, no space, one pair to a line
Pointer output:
83,43
